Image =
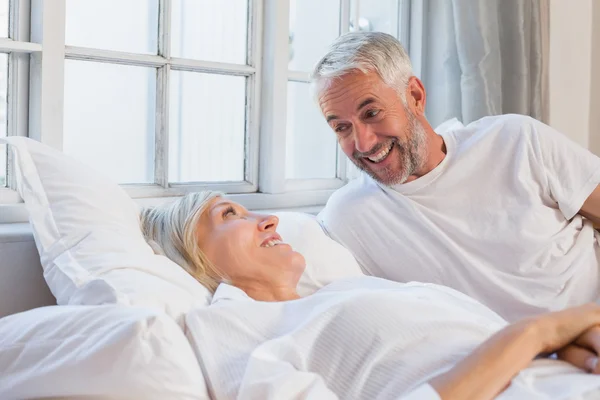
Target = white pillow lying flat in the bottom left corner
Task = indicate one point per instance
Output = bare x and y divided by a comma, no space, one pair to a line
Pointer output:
111,352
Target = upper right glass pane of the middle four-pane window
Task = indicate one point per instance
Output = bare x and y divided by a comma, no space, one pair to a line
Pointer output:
210,30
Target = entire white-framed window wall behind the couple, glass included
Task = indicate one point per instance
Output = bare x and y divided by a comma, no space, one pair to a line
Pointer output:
172,96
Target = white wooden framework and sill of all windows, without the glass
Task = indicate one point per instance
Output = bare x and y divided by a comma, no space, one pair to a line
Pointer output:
36,101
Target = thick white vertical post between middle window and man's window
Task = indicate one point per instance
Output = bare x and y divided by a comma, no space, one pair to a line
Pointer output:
274,96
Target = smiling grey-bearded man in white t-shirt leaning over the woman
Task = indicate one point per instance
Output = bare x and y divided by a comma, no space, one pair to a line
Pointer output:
495,209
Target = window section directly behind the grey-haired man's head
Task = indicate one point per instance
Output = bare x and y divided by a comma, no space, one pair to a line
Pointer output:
311,149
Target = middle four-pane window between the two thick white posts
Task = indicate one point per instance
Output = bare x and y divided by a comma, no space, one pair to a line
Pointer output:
171,89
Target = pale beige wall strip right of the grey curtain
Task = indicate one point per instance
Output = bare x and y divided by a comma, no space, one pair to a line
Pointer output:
574,52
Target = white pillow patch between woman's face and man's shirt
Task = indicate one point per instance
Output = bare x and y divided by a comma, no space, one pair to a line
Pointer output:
326,260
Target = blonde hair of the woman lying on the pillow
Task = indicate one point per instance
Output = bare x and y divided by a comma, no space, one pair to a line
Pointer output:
170,229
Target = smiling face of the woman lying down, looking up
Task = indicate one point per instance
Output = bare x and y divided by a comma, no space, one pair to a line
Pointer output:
246,247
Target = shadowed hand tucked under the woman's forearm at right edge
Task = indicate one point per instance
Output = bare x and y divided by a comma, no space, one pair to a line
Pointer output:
583,352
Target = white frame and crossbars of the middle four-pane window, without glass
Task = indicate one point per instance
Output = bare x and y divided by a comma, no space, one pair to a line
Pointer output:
52,15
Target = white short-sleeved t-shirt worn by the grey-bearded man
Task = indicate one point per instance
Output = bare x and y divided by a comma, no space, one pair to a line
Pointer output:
496,219
